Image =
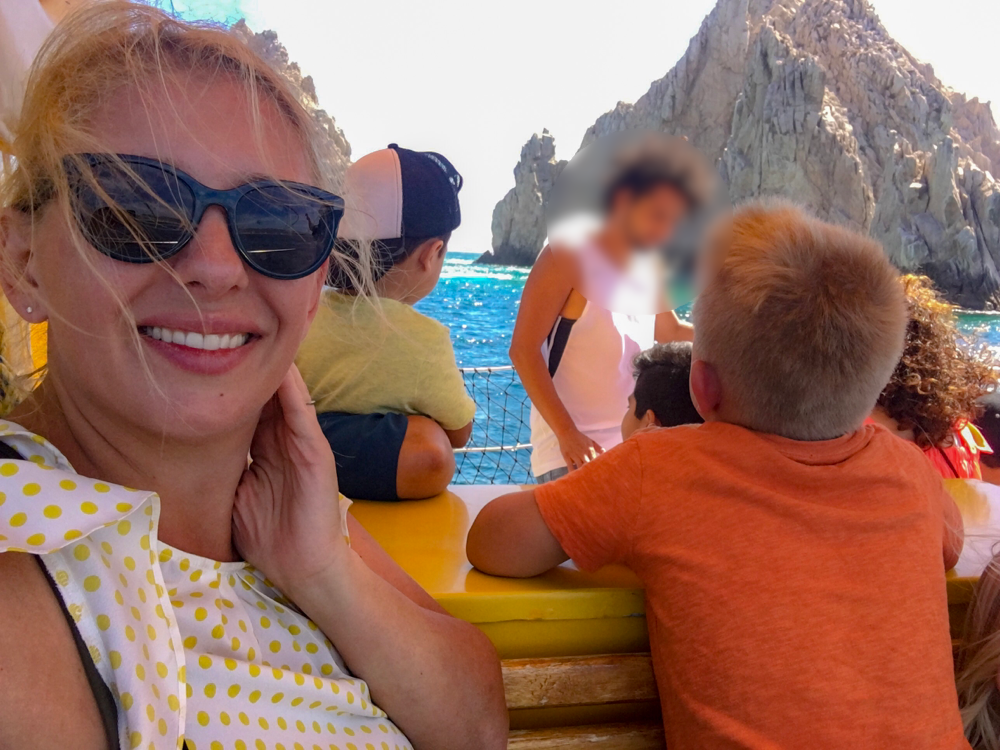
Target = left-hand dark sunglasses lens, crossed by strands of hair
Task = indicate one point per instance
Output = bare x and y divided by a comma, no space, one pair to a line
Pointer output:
137,218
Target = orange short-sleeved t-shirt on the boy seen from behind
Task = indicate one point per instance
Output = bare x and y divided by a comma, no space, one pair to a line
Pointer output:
795,591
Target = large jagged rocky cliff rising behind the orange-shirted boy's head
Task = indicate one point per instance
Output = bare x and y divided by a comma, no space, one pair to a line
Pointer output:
812,99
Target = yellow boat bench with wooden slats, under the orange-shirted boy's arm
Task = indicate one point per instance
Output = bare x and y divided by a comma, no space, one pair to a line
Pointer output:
574,645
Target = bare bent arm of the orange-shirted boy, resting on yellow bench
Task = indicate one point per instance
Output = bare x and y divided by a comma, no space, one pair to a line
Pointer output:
510,538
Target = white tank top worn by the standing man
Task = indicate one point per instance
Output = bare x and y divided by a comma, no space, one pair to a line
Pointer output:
594,377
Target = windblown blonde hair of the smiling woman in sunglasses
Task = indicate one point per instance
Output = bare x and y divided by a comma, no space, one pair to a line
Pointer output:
114,46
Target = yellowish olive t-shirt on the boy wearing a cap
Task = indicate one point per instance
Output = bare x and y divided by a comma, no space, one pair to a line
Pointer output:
365,357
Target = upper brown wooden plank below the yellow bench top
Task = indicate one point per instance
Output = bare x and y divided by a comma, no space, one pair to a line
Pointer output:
578,680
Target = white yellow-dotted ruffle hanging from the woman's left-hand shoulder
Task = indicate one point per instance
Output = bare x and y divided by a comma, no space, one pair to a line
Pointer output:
98,542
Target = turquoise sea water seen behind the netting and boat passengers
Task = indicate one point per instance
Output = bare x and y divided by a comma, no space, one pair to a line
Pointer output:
479,304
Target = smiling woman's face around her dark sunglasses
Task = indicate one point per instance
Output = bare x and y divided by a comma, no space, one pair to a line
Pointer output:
103,354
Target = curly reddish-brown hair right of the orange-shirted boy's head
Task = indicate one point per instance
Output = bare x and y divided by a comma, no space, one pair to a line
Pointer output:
941,376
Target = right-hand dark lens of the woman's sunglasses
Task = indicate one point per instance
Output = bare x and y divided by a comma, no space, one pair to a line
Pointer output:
286,233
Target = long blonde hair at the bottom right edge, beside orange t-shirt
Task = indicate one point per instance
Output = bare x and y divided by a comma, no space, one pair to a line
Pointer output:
979,662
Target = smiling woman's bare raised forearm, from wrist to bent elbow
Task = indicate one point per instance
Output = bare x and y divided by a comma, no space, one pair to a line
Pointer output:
437,678
